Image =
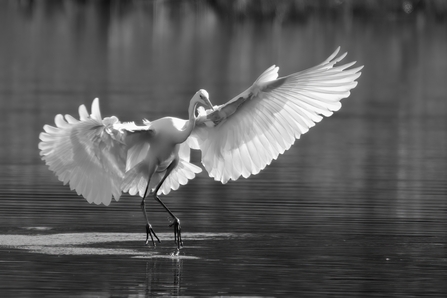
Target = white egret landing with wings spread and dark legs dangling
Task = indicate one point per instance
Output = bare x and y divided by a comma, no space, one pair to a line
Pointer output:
102,158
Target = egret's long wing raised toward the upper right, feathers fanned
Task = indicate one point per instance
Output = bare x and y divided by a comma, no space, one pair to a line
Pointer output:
243,136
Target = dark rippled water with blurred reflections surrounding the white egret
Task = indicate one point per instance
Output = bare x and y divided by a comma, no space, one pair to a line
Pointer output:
357,207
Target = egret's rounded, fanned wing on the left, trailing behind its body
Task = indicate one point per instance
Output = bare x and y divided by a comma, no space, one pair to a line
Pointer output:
85,154
